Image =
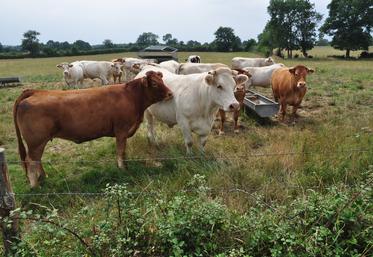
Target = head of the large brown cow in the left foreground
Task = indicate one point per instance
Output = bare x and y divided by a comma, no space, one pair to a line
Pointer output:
156,90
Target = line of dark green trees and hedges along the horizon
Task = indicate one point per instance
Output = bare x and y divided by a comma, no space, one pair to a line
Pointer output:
293,25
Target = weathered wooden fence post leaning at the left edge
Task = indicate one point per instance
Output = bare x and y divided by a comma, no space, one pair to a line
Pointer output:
7,204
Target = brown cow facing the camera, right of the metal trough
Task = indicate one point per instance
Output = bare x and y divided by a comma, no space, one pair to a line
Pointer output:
289,87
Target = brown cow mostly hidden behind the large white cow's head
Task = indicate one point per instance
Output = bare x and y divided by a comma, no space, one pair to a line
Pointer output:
239,93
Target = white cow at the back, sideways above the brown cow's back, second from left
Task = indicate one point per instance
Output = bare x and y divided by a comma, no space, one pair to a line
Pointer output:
102,70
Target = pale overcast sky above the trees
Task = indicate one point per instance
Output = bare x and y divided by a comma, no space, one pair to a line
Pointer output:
123,20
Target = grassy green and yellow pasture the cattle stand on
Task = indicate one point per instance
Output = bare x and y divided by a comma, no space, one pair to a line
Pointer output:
278,163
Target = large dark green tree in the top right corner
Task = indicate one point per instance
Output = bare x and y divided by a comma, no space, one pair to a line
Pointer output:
350,23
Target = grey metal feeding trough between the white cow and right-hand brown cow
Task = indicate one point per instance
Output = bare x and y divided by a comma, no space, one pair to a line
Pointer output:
260,104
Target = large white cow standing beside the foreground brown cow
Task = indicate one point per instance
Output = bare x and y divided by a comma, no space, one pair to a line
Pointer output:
197,98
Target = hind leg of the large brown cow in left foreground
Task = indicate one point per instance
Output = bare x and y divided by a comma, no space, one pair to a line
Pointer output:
35,171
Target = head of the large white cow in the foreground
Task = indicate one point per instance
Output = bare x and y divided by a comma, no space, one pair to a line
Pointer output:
223,82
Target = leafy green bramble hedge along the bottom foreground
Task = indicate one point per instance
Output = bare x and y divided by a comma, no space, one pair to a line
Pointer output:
192,222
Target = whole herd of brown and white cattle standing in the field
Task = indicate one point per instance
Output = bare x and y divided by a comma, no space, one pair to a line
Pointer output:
187,94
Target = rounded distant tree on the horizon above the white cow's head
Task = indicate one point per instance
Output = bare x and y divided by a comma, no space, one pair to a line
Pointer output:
226,40
